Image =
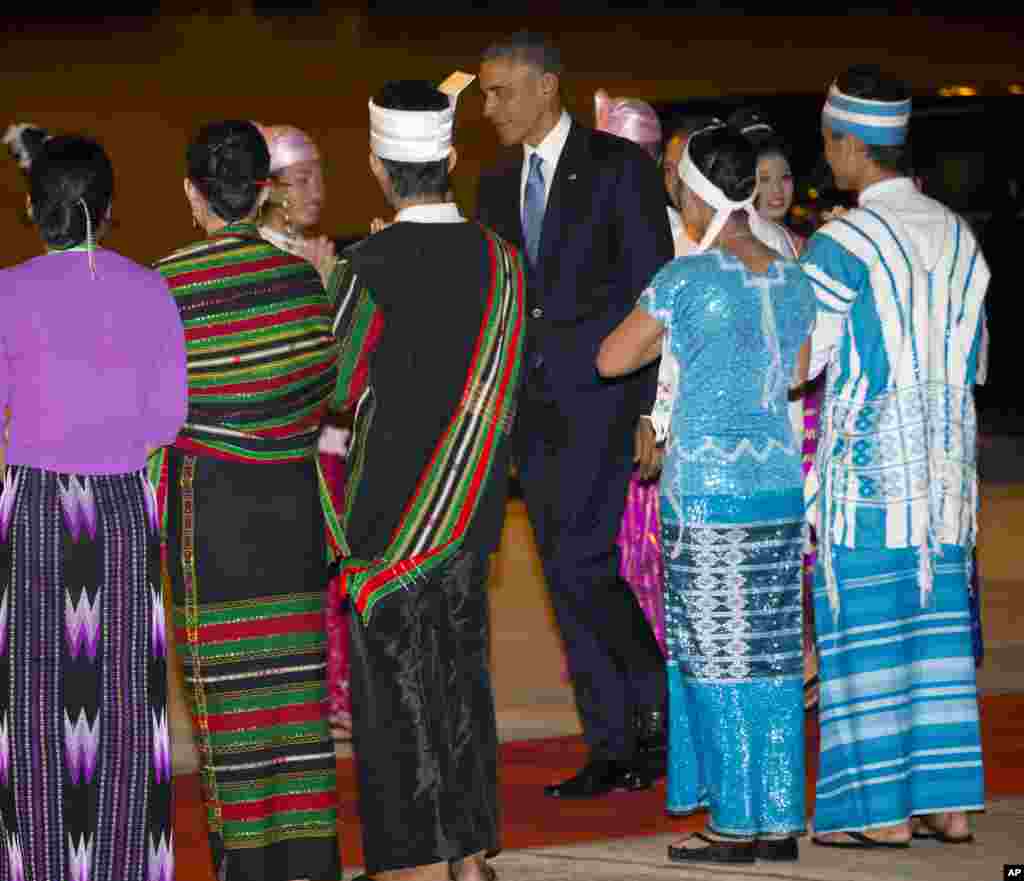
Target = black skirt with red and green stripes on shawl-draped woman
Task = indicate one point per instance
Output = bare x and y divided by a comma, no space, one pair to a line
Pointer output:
247,562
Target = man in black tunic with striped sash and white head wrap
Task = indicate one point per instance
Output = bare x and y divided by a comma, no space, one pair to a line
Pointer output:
428,498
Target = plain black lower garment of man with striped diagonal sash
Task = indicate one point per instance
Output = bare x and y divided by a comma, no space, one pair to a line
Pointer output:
423,722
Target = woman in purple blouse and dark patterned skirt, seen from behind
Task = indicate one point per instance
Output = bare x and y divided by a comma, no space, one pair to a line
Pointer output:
93,368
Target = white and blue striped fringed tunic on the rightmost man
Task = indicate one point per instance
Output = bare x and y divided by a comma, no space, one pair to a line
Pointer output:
901,284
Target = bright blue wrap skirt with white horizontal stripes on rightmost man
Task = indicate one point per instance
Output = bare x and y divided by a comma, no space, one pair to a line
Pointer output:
900,703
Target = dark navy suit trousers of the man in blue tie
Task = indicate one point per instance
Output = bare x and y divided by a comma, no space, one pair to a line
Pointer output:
576,457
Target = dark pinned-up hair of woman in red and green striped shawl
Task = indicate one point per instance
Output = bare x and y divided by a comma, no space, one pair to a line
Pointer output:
230,162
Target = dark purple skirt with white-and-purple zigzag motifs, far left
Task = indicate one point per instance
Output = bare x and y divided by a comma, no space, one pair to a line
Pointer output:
86,761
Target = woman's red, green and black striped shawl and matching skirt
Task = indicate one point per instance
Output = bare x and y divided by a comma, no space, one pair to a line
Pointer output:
247,553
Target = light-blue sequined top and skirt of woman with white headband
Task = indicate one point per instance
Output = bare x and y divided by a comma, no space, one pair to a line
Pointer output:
733,537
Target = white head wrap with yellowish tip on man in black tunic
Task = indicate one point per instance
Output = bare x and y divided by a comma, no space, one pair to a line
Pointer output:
417,136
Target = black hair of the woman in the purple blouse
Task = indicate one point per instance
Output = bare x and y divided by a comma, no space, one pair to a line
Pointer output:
70,176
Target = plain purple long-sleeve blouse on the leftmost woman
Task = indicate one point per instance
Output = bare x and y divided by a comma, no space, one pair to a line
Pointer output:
94,370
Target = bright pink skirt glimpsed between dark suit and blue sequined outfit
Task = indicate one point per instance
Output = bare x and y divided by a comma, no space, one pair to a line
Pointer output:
641,549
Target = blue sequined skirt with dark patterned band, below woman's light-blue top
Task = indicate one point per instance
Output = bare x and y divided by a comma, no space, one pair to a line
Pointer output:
734,626
